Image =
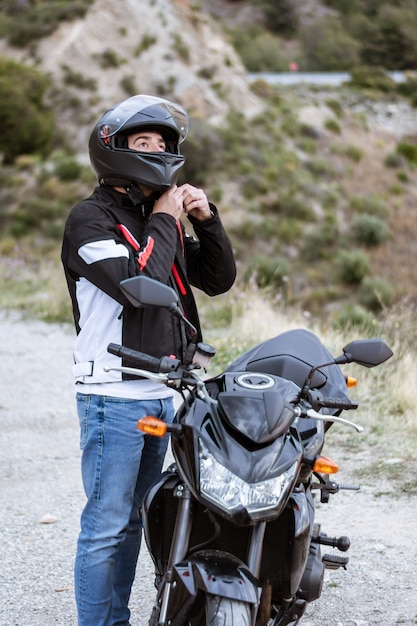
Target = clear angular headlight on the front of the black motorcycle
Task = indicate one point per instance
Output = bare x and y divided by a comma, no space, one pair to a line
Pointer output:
231,493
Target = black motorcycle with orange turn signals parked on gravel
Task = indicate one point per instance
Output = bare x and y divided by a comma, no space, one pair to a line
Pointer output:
231,524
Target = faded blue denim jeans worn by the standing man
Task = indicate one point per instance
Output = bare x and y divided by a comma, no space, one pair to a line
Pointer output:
119,464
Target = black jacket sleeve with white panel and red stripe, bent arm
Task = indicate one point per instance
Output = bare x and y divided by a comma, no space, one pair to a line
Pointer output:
96,249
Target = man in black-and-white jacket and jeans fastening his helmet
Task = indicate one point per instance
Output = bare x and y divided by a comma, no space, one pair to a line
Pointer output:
127,227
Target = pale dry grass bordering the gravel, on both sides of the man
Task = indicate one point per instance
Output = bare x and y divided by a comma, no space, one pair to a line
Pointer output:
240,319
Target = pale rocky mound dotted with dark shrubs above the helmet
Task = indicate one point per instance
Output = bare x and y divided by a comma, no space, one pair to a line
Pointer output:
122,48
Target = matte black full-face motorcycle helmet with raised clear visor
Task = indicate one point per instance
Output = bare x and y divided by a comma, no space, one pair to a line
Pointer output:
116,165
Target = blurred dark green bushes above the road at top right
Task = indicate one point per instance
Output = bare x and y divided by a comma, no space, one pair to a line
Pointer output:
337,36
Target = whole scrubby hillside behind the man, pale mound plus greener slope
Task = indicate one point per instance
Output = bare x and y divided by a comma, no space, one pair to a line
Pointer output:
293,180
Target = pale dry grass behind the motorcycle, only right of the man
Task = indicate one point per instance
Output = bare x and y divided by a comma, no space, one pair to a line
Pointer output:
387,394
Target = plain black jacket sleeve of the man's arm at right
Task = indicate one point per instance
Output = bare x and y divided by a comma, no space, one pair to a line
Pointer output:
210,261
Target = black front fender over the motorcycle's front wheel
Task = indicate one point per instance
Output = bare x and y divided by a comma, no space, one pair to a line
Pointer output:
210,572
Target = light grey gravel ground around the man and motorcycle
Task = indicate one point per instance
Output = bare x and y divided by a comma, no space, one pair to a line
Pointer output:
41,496
